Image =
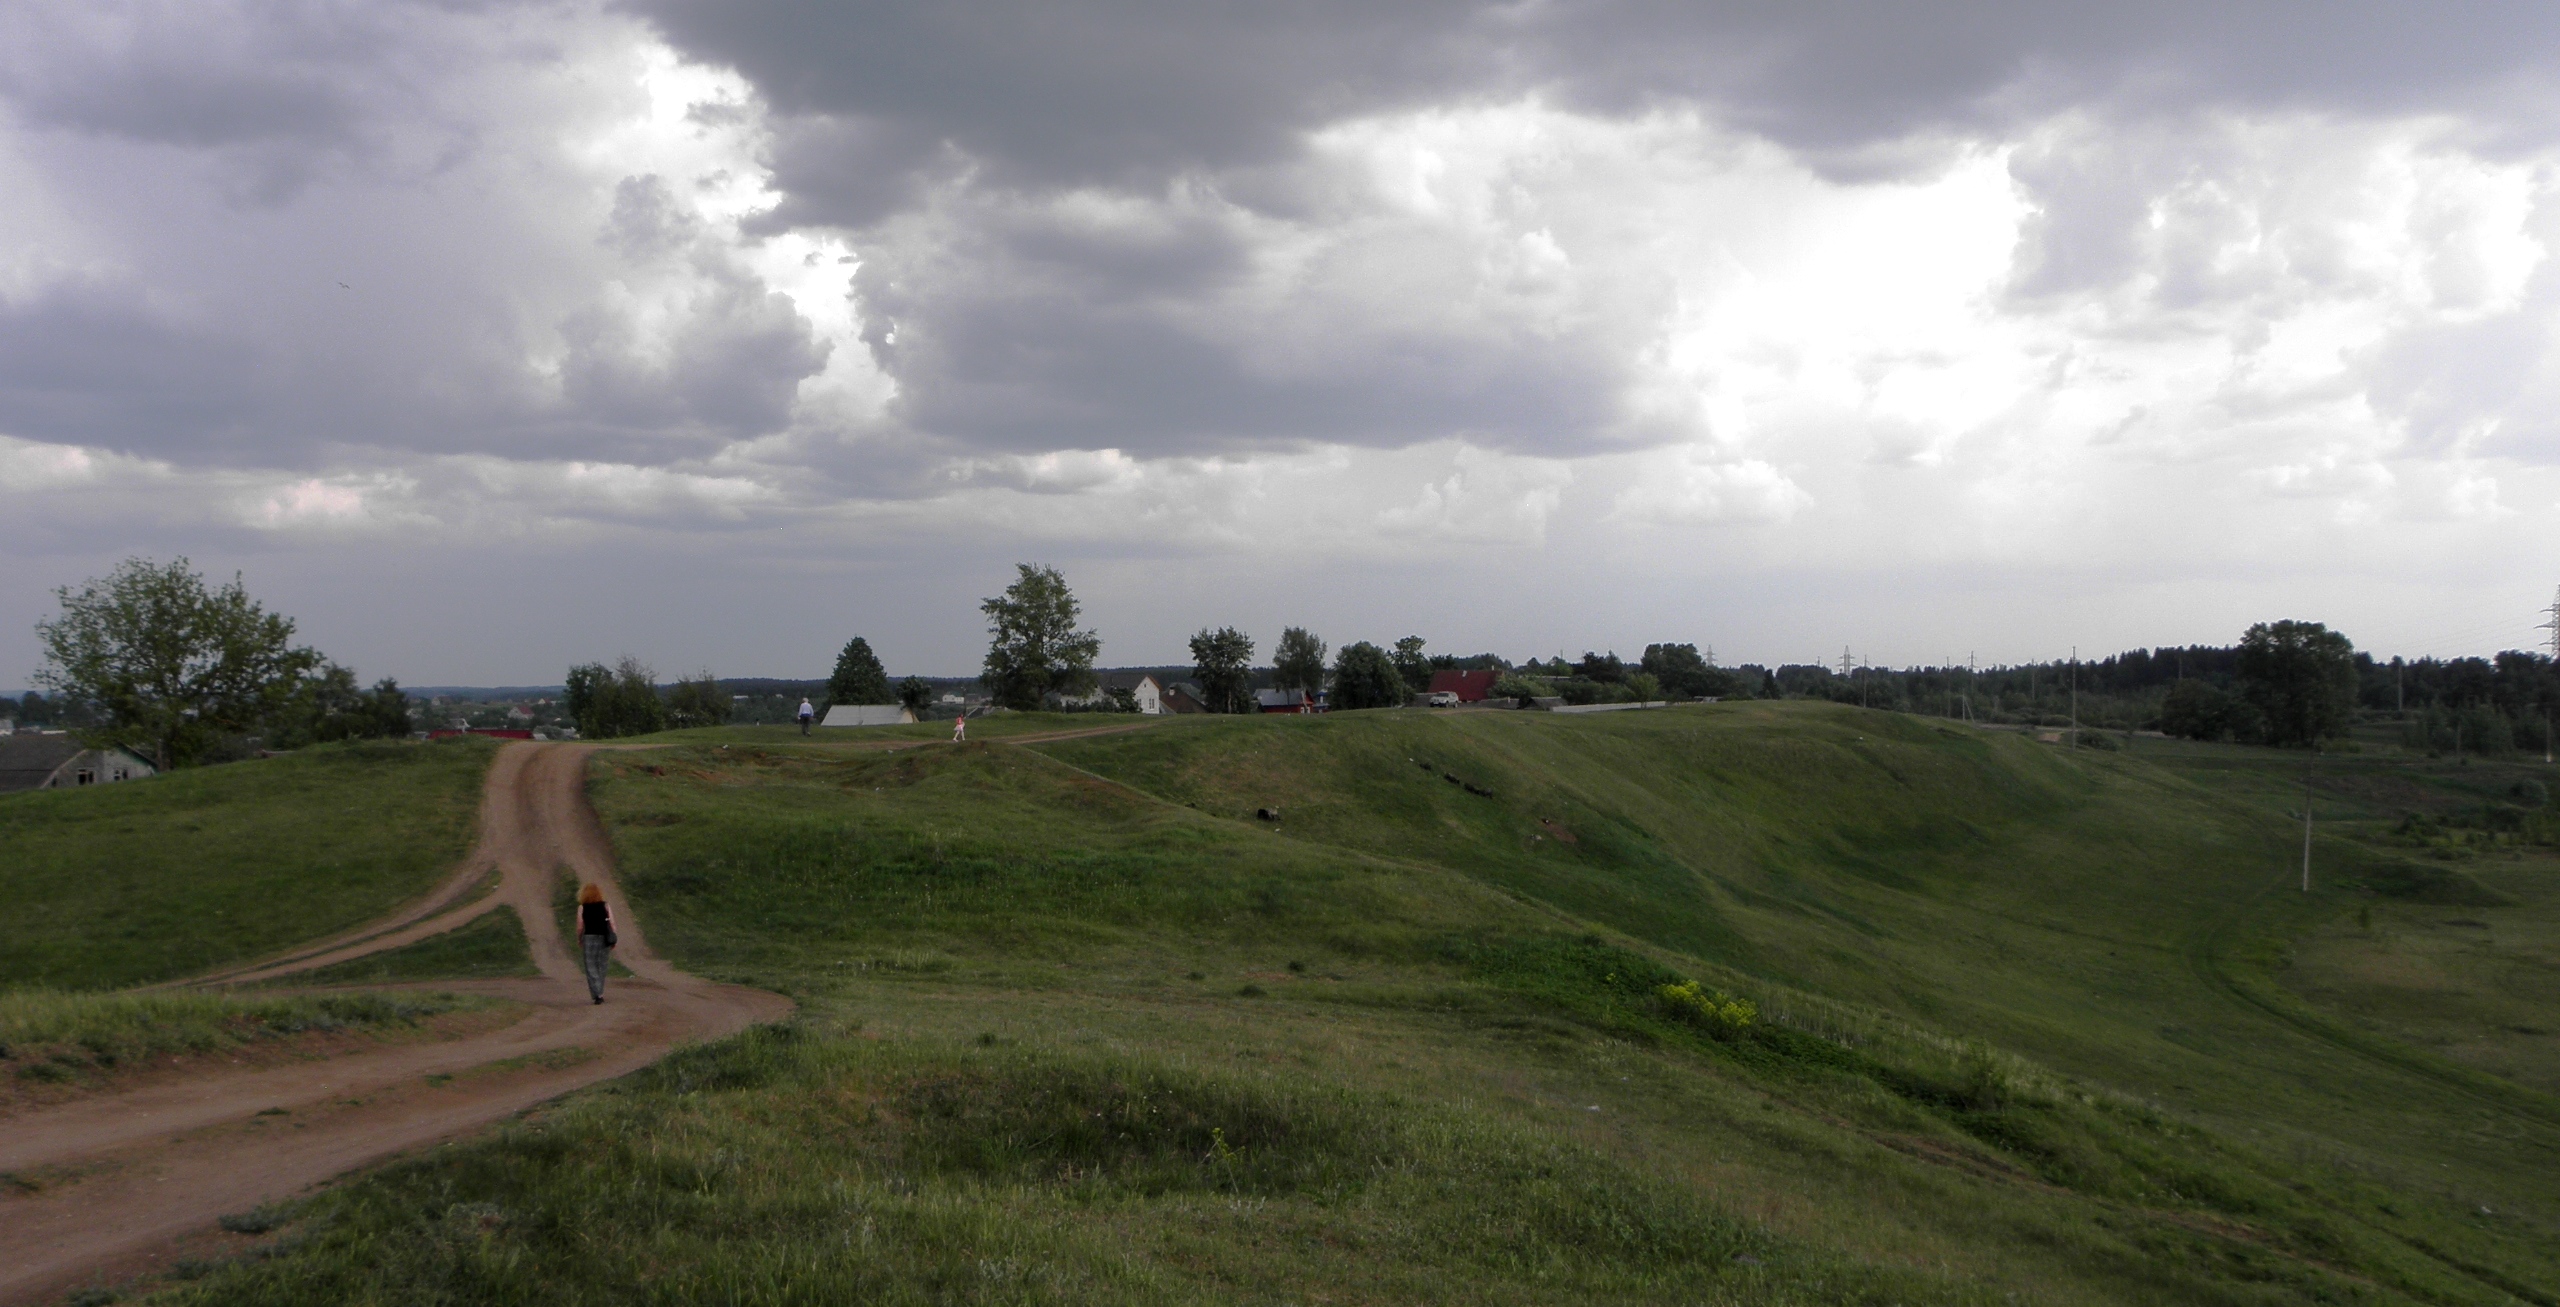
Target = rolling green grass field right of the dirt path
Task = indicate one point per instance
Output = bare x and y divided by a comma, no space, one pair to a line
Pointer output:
1740,1004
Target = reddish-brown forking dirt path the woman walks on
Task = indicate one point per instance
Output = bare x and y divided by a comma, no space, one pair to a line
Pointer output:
132,1178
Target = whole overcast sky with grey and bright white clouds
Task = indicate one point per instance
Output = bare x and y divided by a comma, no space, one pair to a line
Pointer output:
488,339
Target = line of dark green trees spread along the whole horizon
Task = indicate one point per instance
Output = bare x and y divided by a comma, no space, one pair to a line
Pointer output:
180,671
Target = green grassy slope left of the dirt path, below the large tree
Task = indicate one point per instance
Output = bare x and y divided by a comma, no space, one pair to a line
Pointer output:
191,871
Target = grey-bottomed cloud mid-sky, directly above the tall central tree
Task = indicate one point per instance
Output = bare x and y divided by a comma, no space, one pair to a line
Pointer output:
1038,334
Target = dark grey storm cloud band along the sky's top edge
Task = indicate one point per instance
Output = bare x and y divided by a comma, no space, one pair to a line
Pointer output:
1064,93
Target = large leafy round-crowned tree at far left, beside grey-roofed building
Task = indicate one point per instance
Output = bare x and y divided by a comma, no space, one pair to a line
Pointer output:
170,666
